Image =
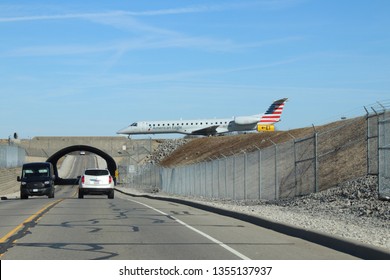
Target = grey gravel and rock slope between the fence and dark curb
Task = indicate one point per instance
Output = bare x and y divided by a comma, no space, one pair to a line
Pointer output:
350,211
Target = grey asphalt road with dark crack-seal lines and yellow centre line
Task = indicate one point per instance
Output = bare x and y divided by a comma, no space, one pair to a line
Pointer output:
96,228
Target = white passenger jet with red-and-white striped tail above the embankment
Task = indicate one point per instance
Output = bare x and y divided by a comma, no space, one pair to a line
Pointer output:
211,127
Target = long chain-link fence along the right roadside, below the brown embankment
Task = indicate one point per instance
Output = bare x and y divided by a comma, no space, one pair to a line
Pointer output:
297,167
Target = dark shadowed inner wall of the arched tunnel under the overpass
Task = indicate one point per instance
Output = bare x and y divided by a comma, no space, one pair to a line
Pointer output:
55,158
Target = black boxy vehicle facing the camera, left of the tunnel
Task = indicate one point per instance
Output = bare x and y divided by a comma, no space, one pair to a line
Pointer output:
37,180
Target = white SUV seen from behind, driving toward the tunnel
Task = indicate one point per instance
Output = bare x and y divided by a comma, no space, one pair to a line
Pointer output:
96,181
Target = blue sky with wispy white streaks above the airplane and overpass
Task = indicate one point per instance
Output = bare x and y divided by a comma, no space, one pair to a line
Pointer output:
90,68
